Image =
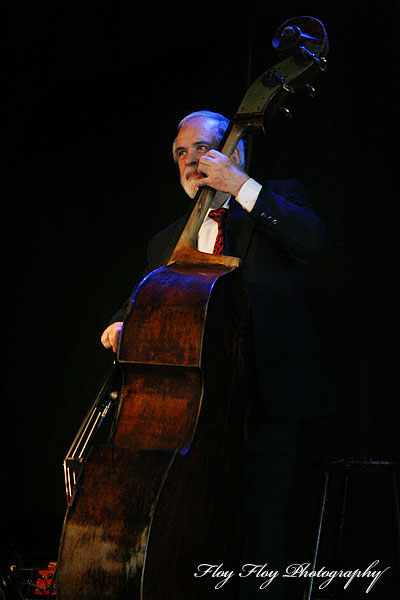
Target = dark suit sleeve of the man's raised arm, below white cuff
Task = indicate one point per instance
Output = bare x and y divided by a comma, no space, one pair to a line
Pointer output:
283,212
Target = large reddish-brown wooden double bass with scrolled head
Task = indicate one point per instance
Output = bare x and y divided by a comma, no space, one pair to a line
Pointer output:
160,497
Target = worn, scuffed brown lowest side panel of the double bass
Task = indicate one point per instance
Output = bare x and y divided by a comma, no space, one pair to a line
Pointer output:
103,545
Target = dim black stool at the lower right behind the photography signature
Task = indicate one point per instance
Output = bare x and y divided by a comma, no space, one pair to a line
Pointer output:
348,465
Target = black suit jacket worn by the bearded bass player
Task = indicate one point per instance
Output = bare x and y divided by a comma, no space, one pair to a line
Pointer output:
274,241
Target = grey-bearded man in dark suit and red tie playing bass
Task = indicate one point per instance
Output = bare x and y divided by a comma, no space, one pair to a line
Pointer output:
273,229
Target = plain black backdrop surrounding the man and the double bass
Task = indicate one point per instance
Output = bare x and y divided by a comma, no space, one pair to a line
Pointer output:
93,99
